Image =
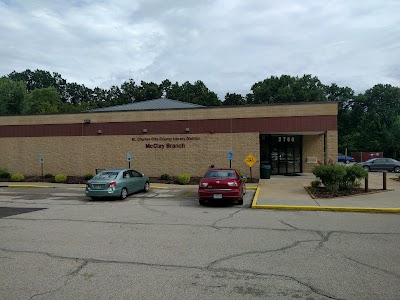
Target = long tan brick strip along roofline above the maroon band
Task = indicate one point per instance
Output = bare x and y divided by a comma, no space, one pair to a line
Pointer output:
303,109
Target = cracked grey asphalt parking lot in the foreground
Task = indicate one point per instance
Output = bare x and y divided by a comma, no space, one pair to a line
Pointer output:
164,245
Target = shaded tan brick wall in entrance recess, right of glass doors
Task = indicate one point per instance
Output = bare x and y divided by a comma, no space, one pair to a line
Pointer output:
313,146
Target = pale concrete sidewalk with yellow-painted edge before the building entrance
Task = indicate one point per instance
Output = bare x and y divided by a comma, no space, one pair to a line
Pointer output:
288,192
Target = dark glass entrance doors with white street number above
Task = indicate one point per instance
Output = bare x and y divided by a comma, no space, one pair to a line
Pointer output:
282,153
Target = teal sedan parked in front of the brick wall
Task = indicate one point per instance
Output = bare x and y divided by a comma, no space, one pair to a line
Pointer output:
117,183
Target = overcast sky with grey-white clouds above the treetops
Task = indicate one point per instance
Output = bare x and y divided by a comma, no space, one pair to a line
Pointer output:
228,44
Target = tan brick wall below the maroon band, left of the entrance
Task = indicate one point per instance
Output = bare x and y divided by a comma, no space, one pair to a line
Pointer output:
81,155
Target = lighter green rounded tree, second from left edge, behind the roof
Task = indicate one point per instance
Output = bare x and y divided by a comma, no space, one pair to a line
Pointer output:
42,101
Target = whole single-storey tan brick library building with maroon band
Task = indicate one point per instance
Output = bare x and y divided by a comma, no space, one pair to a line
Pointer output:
170,137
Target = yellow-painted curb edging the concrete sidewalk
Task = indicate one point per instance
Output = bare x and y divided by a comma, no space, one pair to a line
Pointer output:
321,208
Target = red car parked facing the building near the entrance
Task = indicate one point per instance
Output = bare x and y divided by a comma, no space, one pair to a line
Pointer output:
222,184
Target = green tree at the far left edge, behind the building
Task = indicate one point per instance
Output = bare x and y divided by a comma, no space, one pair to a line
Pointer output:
12,96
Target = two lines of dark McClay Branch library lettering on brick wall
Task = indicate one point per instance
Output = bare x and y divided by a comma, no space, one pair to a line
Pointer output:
165,142
